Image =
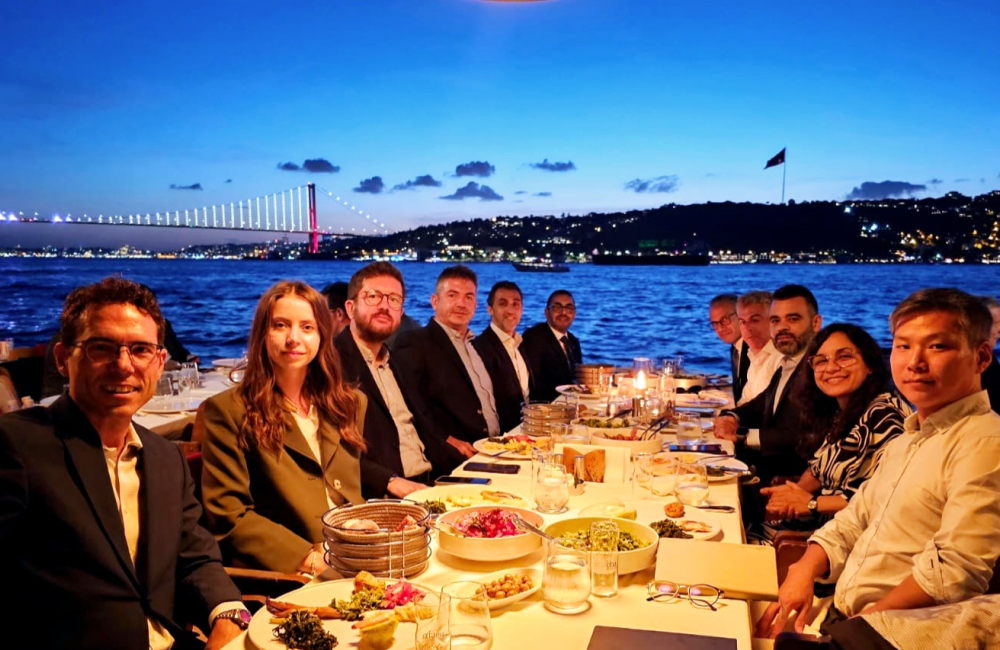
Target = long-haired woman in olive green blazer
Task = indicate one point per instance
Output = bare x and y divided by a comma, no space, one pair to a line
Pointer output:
283,447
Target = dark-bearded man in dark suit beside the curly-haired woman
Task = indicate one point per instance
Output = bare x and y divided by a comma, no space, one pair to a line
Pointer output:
767,428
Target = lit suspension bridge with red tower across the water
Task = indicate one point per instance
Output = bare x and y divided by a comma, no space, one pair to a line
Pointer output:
290,211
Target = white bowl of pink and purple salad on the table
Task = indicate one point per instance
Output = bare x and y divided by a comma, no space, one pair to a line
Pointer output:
487,533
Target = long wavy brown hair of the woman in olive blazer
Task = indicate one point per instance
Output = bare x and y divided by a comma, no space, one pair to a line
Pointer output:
337,404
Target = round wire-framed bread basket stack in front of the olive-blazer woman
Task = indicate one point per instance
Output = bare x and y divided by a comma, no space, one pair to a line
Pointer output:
384,554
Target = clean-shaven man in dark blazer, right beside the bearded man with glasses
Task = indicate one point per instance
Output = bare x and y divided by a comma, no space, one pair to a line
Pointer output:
456,392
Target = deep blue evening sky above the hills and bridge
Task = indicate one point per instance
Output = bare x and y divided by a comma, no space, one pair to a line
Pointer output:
103,110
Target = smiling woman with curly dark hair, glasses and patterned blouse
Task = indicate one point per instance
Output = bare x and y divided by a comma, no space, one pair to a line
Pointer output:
850,412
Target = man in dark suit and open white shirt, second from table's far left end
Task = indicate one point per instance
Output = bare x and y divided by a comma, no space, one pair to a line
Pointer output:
497,345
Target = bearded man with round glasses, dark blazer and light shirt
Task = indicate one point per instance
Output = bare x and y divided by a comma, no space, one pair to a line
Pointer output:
400,459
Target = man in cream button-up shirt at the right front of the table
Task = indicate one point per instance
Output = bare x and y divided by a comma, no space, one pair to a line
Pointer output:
925,529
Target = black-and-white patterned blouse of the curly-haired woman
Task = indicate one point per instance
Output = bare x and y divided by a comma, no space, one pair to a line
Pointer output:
843,466
